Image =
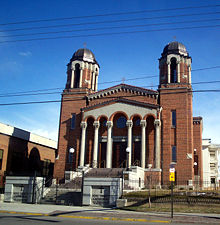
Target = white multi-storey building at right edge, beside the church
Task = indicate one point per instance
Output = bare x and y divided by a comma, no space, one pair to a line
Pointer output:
210,155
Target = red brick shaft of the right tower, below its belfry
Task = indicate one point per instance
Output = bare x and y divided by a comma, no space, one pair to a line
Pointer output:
177,97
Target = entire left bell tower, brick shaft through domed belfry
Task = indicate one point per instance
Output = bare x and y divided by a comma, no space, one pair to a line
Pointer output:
82,79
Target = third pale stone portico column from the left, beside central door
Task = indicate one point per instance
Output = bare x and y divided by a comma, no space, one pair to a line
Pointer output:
109,145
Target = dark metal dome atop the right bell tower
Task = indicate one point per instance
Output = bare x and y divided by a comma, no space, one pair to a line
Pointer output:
175,48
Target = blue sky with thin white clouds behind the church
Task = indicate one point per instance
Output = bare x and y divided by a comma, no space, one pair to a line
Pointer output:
41,64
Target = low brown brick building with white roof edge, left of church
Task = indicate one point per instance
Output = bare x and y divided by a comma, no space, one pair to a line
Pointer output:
22,153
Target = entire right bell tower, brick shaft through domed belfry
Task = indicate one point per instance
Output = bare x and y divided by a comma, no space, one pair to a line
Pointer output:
177,120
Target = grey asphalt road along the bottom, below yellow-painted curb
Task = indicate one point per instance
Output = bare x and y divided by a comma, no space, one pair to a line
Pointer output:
19,219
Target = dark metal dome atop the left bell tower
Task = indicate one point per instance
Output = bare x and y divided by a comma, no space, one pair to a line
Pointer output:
84,54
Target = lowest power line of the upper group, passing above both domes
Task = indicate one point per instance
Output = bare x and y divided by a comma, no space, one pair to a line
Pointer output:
111,33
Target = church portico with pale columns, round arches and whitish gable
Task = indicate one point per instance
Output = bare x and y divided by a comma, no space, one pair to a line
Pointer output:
124,128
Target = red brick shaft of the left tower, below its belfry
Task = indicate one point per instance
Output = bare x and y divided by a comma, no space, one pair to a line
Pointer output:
72,101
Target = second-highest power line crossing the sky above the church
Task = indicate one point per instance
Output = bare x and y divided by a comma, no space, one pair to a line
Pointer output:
112,21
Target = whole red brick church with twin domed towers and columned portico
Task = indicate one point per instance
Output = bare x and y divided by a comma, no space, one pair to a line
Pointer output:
157,126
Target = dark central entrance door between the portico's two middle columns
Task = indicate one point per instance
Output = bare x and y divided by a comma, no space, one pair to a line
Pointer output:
119,154
